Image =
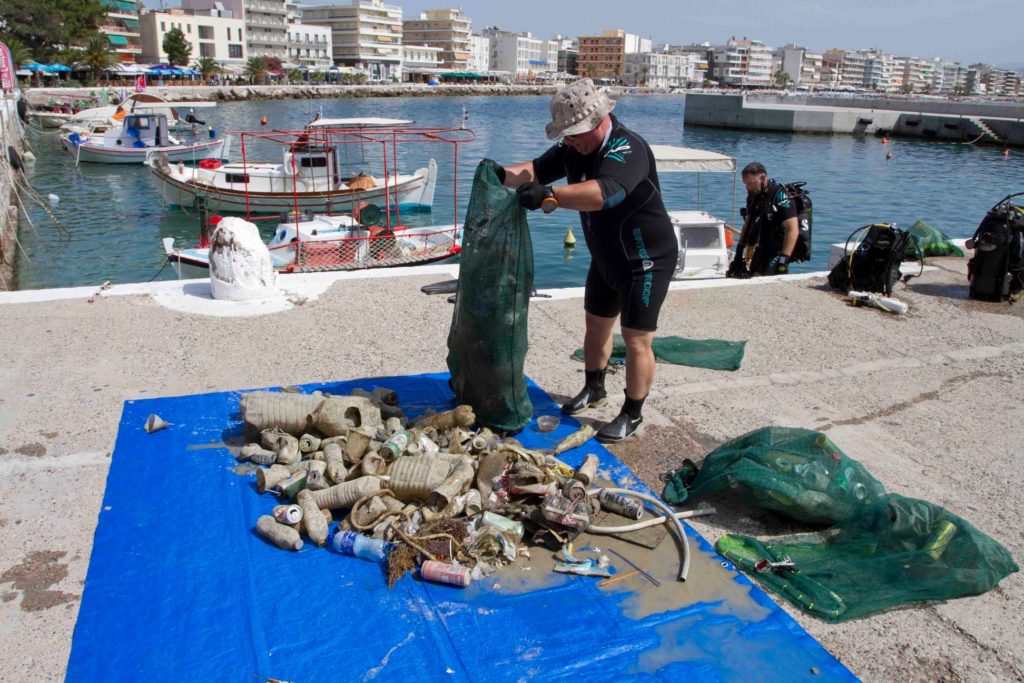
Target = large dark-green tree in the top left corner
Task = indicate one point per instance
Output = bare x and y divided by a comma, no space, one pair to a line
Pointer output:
46,26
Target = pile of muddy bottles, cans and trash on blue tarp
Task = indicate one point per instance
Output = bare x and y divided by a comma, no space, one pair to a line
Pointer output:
432,494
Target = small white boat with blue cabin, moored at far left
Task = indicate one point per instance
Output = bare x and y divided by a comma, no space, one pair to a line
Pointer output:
140,137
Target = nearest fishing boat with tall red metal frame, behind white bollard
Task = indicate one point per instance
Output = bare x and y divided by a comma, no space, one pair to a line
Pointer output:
371,235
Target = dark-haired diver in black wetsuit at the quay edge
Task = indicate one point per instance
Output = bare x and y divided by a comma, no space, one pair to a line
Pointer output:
771,227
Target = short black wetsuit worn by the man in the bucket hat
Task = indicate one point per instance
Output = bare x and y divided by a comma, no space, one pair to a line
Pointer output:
633,248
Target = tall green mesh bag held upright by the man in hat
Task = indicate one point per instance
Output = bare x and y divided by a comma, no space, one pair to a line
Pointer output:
488,338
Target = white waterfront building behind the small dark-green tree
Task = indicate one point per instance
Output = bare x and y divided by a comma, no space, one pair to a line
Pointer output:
222,38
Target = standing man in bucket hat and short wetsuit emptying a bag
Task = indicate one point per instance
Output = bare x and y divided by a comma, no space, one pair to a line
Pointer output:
614,185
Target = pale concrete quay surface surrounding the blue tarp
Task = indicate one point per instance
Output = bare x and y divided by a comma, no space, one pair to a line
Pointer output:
929,403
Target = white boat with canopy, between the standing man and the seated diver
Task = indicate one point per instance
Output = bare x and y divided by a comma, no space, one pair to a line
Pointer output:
705,241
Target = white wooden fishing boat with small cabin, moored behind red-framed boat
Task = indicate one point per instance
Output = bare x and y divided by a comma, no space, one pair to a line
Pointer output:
324,169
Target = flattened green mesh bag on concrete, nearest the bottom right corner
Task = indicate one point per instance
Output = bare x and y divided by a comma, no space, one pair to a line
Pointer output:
894,552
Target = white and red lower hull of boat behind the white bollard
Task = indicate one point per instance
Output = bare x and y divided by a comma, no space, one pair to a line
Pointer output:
318,243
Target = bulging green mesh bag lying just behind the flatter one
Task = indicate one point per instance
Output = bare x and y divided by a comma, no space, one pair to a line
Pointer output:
797,473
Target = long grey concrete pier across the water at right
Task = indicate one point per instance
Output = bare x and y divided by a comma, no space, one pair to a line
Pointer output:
929,120
